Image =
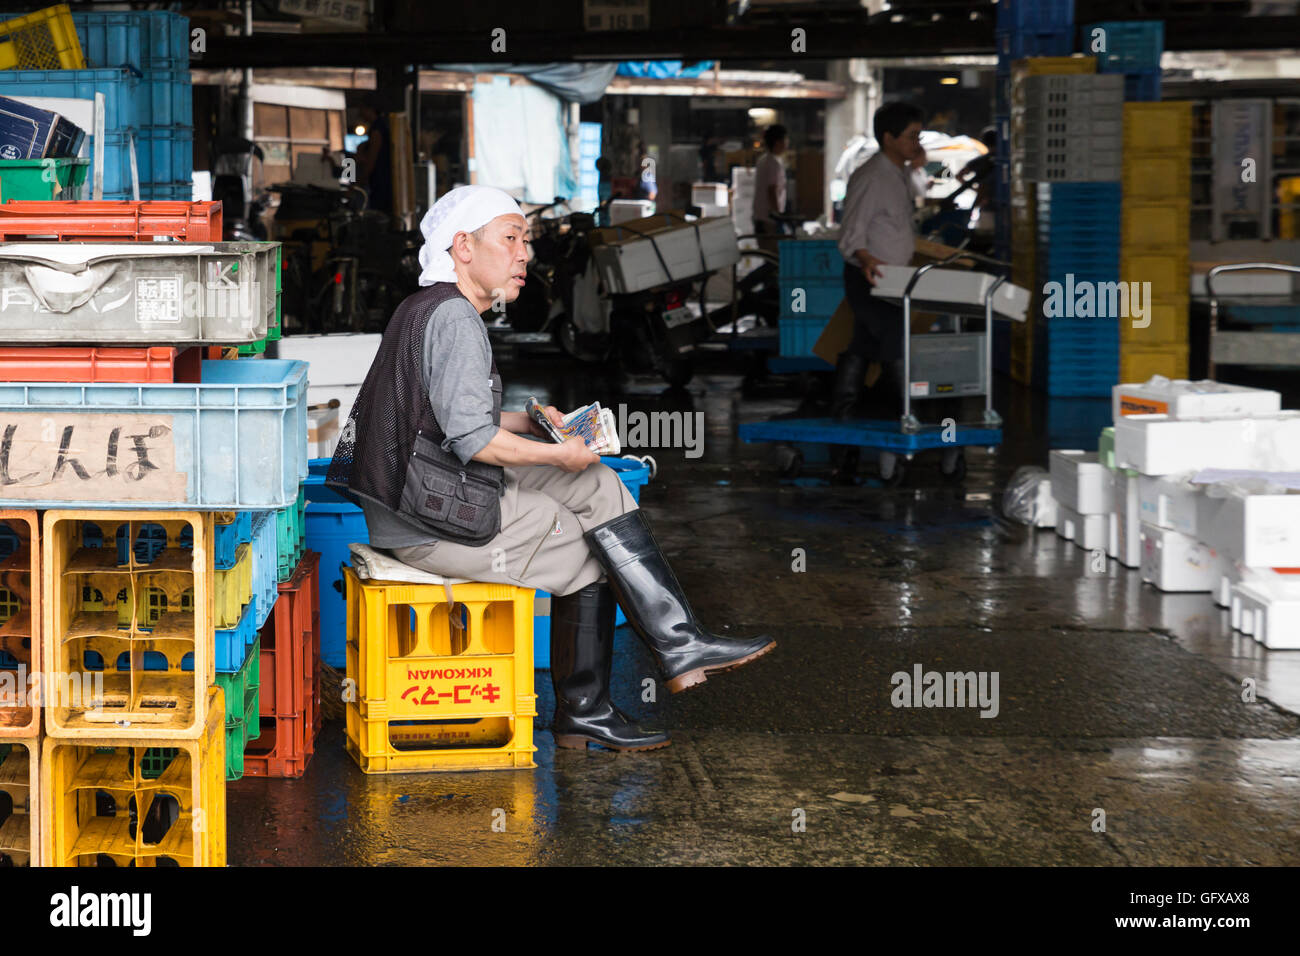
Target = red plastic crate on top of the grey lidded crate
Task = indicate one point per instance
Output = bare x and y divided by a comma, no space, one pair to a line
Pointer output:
83,220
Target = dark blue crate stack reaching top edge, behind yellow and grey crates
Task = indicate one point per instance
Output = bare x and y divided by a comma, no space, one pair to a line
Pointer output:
1025,28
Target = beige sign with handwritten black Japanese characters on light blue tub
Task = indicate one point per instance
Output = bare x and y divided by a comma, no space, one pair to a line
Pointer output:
89,457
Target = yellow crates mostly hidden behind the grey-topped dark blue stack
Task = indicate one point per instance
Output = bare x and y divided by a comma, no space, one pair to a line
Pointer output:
1025,201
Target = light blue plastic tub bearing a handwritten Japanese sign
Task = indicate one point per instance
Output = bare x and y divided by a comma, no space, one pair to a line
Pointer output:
239,439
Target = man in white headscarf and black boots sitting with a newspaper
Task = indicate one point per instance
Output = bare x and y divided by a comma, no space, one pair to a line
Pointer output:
450,486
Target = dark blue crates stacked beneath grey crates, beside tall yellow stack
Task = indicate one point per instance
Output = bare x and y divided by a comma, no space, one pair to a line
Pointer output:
1078,241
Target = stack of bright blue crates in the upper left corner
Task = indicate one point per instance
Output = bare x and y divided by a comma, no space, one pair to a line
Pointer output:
151,53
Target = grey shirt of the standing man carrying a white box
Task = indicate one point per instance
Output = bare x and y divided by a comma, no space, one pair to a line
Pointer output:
878,213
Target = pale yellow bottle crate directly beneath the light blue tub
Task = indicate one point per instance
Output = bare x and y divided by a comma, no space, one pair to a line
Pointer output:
150,677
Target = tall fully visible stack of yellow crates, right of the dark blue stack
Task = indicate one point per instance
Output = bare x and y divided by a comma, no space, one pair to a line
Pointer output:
1155,245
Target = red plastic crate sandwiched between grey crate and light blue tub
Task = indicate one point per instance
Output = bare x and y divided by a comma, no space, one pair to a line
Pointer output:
93,365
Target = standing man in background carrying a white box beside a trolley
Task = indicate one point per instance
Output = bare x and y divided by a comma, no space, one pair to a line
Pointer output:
879,230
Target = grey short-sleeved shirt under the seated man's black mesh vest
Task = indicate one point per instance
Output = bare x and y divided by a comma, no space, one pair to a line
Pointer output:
458,377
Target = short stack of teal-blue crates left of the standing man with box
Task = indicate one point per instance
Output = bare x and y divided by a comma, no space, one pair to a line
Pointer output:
812,280
